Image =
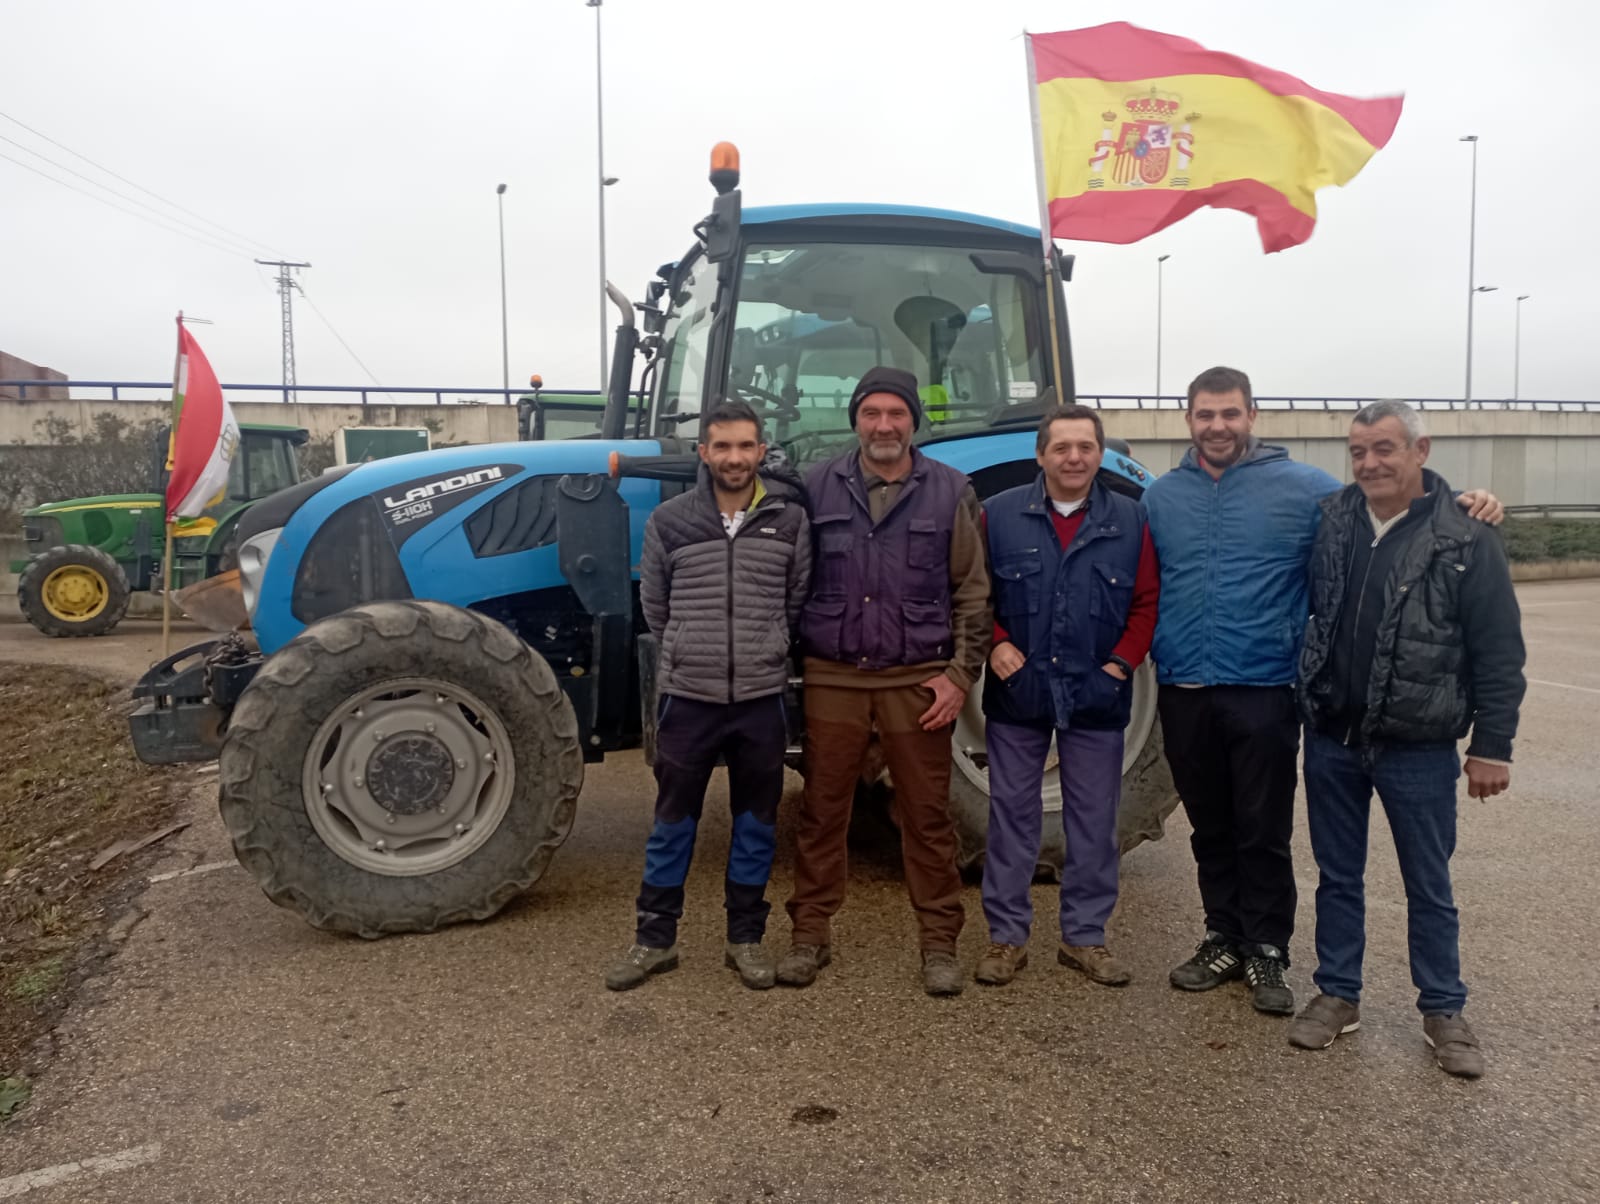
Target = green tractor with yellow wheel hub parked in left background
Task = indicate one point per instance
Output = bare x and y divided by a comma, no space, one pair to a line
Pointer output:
89,556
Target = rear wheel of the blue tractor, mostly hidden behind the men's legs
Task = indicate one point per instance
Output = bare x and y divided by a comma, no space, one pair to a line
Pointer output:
1148,793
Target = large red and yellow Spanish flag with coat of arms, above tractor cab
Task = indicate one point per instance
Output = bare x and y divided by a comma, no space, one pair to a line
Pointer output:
1135,130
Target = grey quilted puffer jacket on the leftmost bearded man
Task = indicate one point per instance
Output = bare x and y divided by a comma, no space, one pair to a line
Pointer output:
722,608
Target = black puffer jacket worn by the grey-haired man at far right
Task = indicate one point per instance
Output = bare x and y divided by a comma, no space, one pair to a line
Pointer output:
1442,628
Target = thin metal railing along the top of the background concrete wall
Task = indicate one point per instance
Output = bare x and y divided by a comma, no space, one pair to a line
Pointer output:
454,396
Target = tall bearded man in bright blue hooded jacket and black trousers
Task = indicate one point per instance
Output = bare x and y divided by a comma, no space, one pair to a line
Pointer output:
1234,528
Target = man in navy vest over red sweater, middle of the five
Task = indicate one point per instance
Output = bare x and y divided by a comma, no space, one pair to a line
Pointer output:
1076,593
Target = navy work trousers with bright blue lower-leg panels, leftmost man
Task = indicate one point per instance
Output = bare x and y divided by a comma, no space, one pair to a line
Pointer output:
690,736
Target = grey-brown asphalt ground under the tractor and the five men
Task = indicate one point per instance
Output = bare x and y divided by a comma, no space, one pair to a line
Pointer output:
234,1054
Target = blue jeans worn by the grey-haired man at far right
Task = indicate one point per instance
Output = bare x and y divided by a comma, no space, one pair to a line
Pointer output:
1417,785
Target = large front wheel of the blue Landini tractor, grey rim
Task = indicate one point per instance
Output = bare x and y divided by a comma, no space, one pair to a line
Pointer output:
401,768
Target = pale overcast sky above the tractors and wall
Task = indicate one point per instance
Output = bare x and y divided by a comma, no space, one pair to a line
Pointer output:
369,138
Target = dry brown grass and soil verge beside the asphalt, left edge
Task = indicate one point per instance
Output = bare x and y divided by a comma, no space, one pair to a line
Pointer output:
70,787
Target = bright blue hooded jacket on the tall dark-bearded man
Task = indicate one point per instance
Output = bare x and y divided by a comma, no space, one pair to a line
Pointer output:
1236,555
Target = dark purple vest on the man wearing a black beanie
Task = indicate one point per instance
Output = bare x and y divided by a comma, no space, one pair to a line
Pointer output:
881,593
